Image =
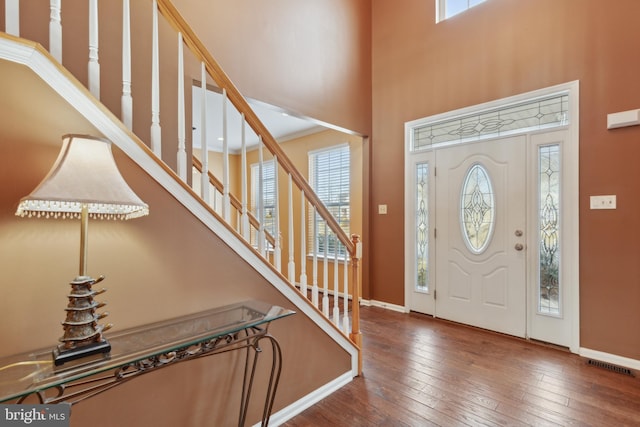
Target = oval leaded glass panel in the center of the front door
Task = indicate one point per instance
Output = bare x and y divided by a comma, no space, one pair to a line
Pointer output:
477,209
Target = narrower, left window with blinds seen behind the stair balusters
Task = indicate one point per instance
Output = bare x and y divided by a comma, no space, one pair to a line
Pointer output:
267,216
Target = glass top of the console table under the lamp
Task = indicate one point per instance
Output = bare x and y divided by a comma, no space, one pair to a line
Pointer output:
26,373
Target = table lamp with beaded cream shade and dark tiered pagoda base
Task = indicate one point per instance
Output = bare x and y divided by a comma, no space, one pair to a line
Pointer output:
83,183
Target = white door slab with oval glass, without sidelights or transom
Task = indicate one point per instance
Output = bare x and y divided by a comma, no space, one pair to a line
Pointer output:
480,222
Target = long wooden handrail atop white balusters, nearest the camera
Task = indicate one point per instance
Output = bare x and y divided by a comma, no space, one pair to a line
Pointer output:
175,19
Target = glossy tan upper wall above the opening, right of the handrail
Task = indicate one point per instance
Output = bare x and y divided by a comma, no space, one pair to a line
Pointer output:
311,57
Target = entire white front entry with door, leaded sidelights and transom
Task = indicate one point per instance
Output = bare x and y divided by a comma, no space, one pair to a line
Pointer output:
491,215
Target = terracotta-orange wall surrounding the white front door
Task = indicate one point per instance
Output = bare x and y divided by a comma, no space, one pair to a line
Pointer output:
502,48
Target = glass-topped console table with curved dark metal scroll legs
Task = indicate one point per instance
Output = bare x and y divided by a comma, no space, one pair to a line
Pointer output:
147,348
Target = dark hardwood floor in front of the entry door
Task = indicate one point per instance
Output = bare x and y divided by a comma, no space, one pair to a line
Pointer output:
424,372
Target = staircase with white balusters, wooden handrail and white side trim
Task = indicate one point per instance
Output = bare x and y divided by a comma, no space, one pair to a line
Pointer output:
166,153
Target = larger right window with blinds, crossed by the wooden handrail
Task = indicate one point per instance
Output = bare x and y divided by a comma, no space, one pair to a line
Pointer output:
329,175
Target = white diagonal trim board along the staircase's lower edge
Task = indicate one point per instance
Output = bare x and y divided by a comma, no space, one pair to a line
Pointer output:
43,64
